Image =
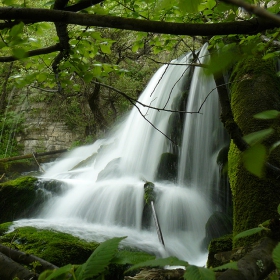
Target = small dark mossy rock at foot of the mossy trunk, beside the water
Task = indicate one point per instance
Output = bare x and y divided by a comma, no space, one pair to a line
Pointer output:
222,244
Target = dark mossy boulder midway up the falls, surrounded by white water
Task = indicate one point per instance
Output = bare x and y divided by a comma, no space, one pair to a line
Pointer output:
167,168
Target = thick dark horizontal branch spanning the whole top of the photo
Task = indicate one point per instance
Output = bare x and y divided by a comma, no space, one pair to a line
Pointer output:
252,26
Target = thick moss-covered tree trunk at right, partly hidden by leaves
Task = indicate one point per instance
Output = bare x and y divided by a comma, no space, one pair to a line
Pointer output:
255,88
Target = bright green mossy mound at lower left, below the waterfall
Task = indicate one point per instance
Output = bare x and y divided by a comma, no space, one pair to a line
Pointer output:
56,247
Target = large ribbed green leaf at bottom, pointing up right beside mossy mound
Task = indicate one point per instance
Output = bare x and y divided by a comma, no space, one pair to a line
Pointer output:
99,259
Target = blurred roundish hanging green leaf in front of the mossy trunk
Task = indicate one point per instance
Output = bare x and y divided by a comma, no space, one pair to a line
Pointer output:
254,159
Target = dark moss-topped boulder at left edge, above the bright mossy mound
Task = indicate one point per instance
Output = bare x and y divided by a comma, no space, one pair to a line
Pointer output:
17,197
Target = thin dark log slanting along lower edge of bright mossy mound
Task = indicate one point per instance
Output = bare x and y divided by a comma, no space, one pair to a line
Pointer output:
23,258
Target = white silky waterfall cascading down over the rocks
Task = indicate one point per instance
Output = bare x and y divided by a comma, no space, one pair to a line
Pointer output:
103,193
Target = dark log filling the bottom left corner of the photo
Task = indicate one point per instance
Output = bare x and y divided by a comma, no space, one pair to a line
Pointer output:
10,269
